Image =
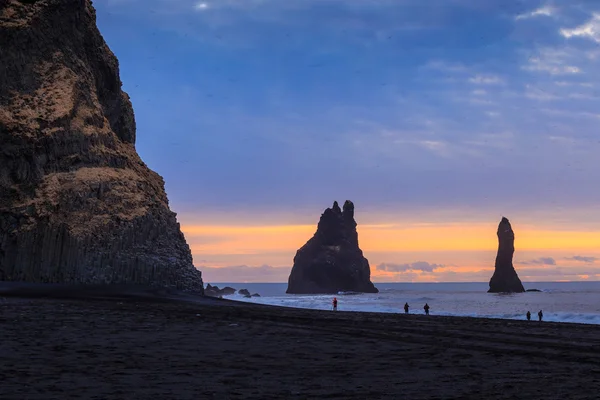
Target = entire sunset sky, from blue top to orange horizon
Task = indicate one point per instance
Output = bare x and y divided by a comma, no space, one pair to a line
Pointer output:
436,118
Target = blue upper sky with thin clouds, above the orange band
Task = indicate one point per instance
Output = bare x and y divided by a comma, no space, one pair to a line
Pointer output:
281,104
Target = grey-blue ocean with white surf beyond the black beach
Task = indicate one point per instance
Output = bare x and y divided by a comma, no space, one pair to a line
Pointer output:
560,301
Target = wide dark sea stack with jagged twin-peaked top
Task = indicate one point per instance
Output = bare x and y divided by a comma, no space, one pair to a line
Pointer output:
331,261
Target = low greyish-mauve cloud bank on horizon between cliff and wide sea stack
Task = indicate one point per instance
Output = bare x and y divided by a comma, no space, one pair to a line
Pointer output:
245,273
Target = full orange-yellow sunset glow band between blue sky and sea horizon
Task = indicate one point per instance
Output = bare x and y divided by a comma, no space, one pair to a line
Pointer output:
463,252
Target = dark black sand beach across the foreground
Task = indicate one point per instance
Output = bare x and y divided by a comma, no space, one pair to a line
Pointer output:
164,346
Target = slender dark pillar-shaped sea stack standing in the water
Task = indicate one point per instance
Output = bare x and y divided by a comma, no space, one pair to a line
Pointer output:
505,278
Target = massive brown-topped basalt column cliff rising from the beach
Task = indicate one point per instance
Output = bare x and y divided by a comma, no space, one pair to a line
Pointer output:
77,204
